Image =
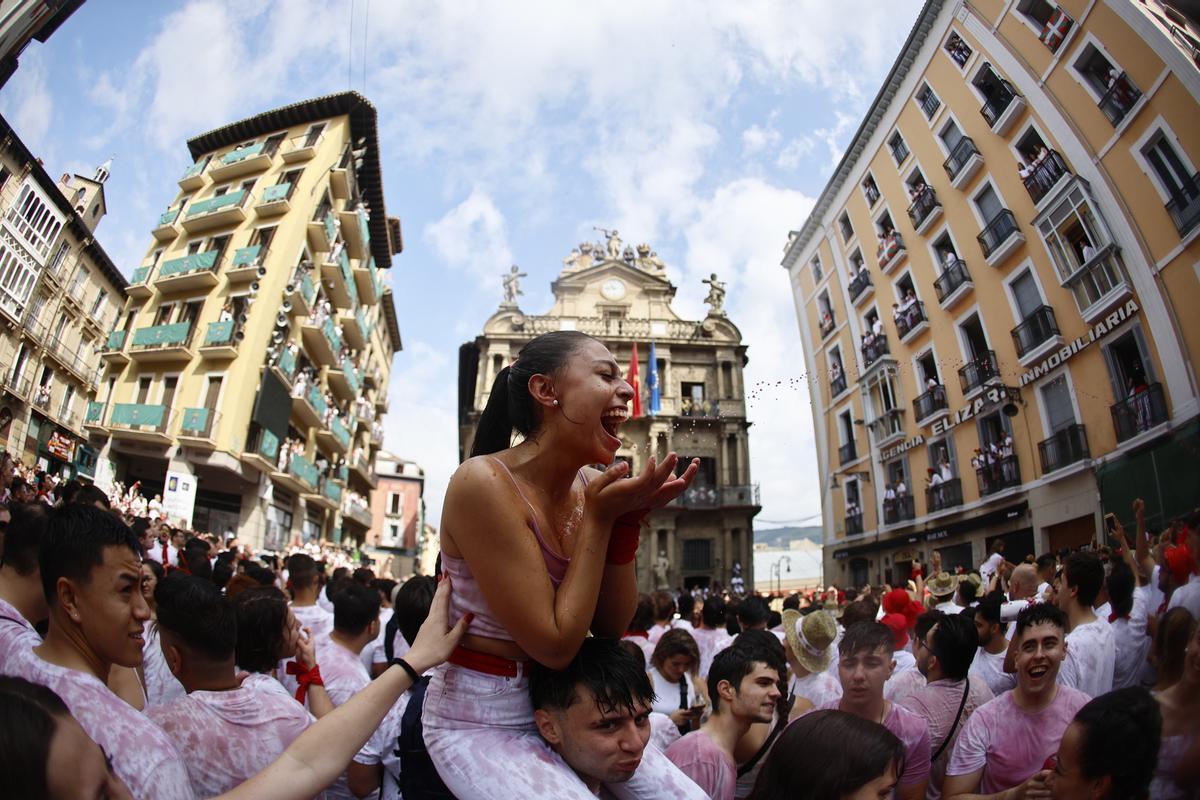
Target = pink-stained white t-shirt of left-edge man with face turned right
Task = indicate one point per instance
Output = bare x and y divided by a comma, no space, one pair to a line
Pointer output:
142,754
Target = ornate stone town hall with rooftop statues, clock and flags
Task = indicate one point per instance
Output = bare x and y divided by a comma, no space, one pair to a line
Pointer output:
693,400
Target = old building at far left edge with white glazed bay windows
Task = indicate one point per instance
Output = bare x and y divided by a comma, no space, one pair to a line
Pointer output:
59,296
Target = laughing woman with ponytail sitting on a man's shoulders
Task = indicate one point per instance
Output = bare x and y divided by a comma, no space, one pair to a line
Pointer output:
541,550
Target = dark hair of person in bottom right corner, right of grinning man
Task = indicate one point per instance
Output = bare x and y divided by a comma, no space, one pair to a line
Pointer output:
1121,736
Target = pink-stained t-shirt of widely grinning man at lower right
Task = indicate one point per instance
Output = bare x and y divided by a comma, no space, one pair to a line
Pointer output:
1009,743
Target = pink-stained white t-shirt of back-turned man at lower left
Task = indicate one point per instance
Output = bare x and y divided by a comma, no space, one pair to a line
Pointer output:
231,737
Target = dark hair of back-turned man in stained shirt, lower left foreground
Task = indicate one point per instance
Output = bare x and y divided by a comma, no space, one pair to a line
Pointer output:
195,610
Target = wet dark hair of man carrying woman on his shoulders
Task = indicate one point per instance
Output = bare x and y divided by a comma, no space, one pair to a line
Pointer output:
602,666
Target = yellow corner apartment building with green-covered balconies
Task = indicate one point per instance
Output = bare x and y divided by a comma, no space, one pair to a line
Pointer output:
247,378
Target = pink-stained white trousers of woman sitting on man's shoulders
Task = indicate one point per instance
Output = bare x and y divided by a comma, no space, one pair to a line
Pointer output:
479,732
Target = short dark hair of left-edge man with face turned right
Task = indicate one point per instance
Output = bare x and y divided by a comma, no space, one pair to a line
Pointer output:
74,546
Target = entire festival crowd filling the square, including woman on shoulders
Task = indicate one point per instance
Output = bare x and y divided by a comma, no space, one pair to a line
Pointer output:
145,661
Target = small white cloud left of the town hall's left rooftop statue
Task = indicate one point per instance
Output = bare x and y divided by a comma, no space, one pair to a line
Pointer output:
473,238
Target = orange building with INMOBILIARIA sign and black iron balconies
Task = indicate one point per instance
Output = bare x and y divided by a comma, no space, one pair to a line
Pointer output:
994,288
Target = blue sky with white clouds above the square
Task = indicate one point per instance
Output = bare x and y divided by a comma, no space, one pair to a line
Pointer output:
508,133
